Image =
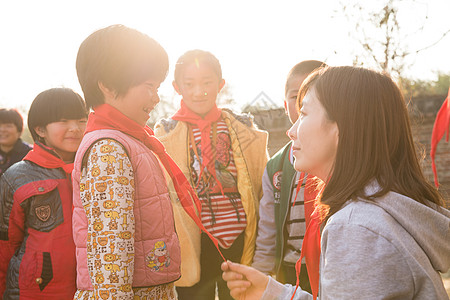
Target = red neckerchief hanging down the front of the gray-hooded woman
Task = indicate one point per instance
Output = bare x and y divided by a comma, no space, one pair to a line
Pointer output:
311,242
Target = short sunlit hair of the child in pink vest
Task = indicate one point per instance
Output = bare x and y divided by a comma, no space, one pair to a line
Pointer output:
120,58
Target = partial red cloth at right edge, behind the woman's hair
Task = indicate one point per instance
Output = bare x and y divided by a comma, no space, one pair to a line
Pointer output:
441,125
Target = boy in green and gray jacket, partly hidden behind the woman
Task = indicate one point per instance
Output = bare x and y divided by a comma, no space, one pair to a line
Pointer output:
282,226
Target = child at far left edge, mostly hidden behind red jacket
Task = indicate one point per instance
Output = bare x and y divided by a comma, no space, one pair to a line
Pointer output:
12,148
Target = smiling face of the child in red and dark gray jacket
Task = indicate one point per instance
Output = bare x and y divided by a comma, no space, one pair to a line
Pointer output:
63,136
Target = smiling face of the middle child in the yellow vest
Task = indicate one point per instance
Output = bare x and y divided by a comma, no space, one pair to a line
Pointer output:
199,86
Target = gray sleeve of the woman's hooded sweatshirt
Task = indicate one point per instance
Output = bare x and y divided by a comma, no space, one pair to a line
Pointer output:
359,263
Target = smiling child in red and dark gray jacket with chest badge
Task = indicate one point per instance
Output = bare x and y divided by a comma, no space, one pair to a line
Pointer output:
37,253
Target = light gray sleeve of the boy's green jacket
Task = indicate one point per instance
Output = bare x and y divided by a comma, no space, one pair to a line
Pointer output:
264,258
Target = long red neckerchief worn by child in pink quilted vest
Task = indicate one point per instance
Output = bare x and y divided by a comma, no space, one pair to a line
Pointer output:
107,117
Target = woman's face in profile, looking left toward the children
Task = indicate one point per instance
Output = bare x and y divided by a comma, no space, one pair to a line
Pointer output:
315,139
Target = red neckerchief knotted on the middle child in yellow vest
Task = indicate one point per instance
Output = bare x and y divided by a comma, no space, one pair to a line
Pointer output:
204,124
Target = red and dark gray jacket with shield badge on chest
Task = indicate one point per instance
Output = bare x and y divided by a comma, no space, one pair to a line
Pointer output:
37,252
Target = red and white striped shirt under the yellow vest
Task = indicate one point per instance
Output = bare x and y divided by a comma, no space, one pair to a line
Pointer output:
222,214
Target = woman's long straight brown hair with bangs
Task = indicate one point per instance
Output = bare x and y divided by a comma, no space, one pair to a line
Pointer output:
375,139
